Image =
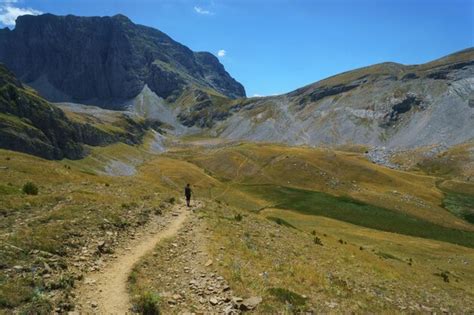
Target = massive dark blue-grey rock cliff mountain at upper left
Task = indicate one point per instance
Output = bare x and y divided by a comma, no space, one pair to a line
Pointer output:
106,60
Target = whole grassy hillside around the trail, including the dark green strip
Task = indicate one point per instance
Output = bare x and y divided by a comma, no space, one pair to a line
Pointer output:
268,210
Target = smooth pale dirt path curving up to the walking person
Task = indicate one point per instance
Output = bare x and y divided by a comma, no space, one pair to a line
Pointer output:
106,292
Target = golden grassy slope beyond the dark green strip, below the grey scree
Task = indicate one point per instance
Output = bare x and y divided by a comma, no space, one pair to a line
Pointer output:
334,172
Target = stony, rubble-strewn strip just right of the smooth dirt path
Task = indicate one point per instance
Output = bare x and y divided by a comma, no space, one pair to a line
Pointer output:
186,276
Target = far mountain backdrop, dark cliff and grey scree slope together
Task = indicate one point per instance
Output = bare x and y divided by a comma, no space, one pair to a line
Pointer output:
113,63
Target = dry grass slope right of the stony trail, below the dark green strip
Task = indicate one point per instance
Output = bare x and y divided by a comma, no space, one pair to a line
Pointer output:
260,254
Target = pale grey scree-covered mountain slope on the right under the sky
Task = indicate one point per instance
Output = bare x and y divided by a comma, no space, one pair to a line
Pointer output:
387,104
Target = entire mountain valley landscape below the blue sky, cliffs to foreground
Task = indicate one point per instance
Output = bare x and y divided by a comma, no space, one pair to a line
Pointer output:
352,194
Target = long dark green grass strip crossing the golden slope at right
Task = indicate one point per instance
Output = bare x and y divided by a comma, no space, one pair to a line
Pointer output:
360,213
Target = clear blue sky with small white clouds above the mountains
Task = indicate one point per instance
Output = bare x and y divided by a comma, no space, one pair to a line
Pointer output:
276,46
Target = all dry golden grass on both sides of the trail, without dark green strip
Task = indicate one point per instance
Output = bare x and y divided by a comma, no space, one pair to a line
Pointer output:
75,199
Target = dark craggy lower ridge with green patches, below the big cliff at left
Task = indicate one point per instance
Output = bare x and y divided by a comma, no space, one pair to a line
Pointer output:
30,124
